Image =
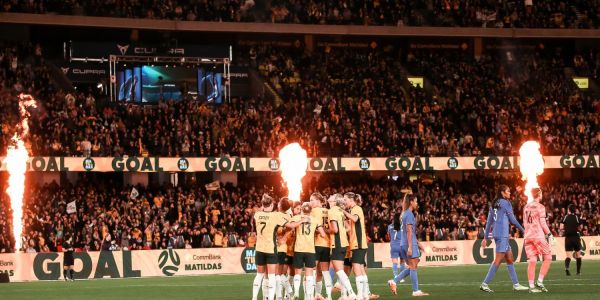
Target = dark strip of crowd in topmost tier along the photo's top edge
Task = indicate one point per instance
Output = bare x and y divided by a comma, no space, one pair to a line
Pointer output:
473,13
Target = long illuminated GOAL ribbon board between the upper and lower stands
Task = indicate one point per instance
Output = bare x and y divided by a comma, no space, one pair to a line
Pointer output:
317,164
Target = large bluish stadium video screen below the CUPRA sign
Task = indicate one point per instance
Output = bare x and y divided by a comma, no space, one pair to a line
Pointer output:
146,84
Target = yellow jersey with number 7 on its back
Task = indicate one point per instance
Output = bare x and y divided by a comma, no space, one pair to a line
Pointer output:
266,230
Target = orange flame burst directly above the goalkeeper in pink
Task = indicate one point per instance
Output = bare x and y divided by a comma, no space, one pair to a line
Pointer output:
531,166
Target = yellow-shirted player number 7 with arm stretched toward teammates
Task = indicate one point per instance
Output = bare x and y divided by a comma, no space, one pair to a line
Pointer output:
266,223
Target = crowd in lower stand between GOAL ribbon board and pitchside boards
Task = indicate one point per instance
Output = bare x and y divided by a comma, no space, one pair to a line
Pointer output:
112,218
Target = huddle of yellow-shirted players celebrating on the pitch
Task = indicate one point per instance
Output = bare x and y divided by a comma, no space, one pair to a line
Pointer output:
308,236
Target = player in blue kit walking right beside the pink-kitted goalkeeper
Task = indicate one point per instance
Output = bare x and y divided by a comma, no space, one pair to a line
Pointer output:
499,219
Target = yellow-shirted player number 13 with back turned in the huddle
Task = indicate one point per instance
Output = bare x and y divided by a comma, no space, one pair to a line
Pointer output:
304,253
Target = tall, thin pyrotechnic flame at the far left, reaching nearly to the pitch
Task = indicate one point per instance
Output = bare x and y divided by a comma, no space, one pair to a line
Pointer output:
16,164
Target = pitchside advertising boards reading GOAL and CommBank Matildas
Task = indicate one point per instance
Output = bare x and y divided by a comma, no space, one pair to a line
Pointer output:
207,261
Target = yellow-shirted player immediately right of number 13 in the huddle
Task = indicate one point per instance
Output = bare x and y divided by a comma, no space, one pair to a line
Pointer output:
322,243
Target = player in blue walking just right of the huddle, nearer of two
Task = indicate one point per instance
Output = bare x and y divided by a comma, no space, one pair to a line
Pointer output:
410,248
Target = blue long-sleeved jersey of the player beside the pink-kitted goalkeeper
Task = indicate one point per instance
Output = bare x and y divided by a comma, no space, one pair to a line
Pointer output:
499,219
